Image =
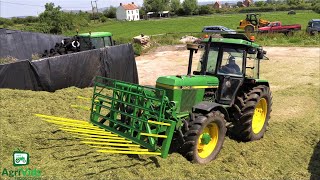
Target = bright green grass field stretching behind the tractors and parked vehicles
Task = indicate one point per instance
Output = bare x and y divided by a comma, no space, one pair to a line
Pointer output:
124,31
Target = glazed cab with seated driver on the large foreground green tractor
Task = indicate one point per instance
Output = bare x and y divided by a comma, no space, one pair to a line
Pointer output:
234,60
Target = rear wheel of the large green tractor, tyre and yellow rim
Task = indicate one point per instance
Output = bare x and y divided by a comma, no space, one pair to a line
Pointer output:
252,114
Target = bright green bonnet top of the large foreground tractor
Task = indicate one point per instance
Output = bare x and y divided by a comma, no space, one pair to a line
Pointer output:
194,80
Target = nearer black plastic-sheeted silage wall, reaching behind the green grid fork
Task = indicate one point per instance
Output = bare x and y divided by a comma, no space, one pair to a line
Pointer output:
77,69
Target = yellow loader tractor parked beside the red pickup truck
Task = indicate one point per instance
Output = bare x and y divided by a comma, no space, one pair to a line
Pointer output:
252,23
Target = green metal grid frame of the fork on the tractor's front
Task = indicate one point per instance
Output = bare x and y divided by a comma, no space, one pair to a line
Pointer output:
114,101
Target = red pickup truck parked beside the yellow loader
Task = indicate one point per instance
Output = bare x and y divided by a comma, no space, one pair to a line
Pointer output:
279,28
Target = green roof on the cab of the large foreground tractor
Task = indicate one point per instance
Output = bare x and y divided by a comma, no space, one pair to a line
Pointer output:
240,39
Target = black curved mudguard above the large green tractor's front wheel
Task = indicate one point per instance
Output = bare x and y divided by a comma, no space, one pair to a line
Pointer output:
210,106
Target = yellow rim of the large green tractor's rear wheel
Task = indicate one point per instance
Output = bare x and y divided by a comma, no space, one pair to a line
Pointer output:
259,116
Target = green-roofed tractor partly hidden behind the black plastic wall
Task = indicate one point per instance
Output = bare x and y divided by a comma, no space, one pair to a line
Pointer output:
81,42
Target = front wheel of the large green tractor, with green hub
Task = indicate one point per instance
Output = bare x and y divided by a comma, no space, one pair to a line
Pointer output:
204,137
